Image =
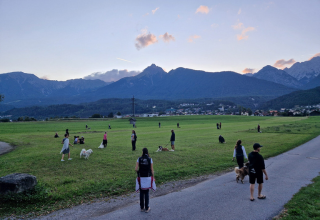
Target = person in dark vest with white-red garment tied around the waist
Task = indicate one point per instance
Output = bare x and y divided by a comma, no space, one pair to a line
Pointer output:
144,169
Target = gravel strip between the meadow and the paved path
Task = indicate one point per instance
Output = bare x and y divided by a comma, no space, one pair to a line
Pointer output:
109,204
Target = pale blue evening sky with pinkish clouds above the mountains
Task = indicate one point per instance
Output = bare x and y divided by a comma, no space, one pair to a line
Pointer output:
67,39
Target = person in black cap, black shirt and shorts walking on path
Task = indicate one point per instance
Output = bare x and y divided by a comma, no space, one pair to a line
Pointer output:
256,170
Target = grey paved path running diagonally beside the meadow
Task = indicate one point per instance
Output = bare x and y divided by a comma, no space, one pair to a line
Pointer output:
223,198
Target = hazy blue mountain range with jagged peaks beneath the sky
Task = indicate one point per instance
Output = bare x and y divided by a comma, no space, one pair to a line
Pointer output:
23,89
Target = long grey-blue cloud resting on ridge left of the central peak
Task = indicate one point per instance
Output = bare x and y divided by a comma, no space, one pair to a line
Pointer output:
112,75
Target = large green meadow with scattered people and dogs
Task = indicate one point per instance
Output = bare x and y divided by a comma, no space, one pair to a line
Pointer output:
110,171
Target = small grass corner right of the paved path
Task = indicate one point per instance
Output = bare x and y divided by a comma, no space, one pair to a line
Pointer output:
305,204
